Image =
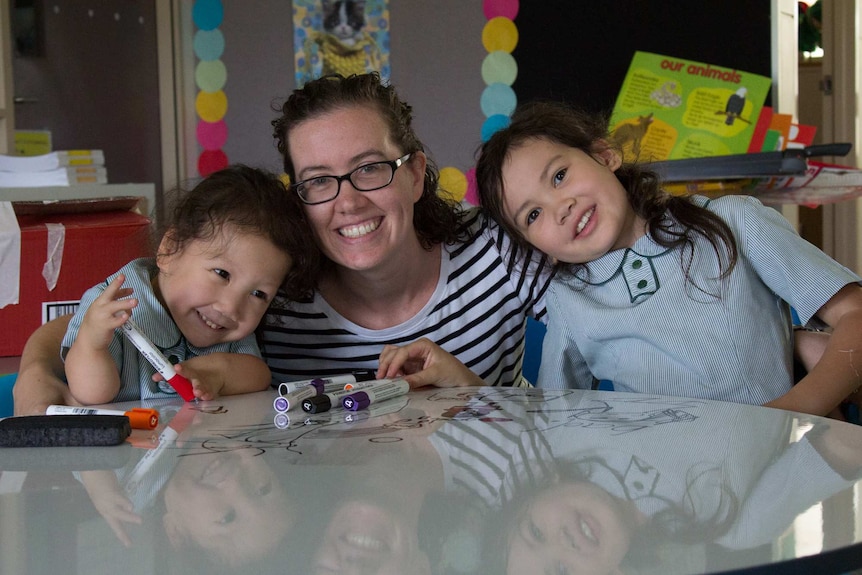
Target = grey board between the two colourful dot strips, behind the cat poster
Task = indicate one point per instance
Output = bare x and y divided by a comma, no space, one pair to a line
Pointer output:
436,57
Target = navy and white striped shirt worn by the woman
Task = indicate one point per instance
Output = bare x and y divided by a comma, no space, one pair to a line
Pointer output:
477,312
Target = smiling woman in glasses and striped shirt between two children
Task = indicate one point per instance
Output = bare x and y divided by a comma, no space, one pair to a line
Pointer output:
401,262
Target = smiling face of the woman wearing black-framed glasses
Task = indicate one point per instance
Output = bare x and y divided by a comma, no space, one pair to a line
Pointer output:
361,231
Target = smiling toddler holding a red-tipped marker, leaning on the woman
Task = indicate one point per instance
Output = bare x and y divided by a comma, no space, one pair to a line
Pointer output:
232,243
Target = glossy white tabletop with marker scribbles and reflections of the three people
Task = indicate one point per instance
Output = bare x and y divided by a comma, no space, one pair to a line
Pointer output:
461,481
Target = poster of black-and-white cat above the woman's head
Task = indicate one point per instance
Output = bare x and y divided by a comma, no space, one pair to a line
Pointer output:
343,37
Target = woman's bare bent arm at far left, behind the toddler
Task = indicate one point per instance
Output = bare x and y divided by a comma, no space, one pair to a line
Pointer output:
40,380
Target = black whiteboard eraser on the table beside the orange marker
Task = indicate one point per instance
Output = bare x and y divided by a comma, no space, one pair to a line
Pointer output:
64,430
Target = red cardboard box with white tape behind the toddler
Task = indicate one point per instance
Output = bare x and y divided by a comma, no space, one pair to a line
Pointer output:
96,245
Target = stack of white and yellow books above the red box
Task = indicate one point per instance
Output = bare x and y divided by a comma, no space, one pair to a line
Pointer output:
61,168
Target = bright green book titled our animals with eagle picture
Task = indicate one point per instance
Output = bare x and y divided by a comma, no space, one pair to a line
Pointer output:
669,108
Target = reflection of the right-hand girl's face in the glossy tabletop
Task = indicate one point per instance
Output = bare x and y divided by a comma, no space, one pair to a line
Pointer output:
571,528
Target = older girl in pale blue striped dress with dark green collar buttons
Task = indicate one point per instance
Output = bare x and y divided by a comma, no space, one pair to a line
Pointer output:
665,294
